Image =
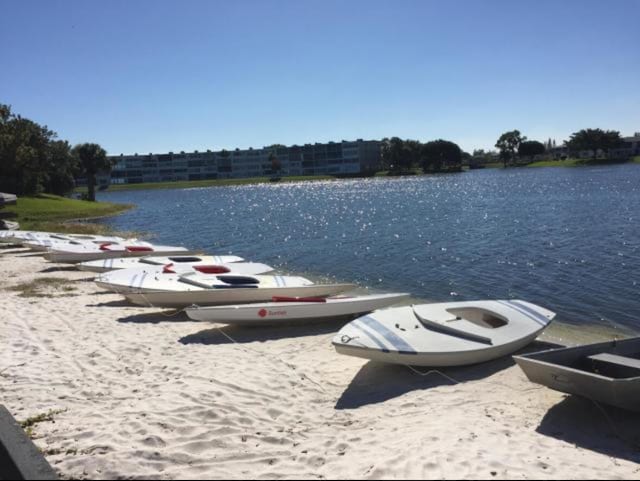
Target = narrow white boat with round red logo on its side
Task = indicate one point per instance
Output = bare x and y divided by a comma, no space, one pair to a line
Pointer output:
290,310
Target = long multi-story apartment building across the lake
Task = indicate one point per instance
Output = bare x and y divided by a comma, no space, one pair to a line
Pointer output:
334,158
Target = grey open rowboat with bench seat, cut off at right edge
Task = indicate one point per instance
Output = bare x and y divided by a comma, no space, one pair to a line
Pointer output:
607,372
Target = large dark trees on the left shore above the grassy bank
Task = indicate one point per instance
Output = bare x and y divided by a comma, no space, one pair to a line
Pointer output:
33,160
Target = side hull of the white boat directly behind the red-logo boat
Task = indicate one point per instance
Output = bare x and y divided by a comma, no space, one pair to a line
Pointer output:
214,297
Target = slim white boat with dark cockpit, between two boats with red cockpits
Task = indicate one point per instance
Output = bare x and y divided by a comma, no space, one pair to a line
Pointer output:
113,264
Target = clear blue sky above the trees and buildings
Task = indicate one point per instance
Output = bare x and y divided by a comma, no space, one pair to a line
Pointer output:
157,75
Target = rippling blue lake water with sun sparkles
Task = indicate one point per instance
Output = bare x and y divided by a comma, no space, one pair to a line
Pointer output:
568,239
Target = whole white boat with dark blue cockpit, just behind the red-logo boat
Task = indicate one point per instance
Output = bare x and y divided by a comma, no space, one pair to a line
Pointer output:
182,290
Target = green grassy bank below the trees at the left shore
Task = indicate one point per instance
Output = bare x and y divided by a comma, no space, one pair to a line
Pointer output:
59,214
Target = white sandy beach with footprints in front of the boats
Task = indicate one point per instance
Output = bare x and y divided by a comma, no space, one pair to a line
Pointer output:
146,395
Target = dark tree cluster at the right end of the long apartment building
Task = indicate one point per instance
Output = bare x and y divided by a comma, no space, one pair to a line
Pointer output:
402,156
